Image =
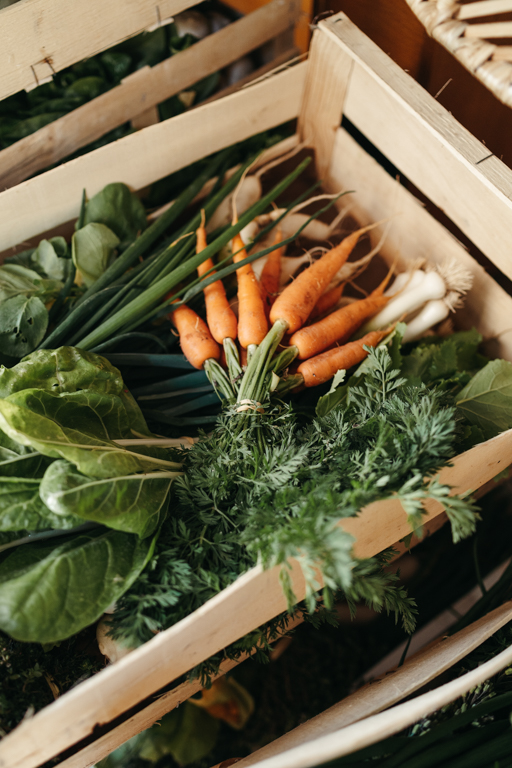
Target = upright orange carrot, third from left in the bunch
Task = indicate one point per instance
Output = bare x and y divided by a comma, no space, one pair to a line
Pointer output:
252,322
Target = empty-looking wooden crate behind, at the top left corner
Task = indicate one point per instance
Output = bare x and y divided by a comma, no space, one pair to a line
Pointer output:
38,56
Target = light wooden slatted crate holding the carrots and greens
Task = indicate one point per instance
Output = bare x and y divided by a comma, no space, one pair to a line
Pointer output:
345,75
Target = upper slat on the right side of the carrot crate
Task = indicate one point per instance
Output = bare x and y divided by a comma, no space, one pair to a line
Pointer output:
435,152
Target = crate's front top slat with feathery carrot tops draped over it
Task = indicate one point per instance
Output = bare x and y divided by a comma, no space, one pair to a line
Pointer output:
253,599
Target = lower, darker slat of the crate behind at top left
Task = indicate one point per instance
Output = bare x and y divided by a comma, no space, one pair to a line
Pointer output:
141,91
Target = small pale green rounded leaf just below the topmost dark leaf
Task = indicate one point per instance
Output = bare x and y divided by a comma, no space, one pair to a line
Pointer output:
92,250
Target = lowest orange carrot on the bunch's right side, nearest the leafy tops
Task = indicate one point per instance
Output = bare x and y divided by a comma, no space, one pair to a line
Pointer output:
321,368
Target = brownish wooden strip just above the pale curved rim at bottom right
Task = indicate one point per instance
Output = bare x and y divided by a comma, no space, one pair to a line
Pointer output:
389,690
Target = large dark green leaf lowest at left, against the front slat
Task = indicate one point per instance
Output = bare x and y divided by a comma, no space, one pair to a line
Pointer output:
49,593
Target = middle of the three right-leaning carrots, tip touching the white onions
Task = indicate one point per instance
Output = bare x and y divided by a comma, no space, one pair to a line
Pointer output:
339,325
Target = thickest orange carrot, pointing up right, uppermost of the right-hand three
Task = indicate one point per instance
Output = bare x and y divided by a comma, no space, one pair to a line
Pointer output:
296,302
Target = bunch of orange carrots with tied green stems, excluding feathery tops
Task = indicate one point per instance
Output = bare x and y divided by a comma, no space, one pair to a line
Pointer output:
268,320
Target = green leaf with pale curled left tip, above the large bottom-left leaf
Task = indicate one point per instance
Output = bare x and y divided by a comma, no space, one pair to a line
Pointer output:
134,503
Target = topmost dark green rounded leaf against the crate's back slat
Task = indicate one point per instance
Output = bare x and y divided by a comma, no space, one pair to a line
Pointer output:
120,210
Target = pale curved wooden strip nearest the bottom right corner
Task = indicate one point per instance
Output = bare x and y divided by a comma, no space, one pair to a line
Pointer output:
385,724
